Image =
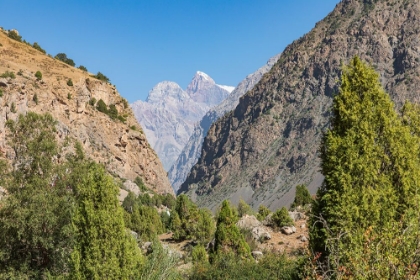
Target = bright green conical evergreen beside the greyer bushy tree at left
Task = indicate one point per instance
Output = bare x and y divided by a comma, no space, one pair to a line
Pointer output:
104,249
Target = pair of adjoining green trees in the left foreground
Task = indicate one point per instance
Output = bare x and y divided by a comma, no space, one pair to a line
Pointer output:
57,211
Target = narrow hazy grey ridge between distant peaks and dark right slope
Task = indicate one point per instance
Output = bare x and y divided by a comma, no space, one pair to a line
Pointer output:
192,149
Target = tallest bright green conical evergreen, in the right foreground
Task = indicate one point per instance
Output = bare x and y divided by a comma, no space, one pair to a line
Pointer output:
366,216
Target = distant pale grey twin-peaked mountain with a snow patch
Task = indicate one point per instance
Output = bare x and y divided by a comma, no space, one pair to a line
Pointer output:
169,114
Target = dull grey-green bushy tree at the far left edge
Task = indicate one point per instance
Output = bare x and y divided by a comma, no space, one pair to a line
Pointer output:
35,232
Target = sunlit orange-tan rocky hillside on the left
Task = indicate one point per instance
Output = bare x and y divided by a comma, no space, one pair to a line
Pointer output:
121,147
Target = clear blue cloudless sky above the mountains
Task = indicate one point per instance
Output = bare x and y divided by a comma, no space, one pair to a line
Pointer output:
139,43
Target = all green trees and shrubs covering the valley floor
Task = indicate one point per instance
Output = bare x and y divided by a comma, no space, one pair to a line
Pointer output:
61,219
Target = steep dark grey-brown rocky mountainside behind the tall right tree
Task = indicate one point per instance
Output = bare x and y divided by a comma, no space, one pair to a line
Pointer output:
265,147
